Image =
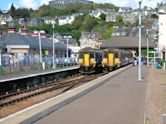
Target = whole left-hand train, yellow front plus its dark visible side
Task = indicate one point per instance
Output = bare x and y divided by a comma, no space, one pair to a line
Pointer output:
90,60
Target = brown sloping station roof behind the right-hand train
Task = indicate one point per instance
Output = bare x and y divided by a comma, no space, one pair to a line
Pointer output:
125,42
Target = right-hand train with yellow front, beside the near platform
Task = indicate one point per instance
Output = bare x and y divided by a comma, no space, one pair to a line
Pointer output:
114,58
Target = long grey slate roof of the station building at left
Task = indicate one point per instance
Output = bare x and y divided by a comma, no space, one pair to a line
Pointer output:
33,42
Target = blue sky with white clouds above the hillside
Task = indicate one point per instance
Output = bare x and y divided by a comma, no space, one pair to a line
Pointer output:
5,4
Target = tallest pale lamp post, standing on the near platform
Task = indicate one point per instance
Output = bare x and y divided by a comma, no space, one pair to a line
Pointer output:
139,62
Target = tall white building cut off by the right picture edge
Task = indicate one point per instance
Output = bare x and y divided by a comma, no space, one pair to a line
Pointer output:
162,30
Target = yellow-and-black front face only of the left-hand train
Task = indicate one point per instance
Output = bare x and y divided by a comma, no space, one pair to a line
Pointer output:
87,61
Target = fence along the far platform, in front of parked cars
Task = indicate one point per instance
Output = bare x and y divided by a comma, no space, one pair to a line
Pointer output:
13,64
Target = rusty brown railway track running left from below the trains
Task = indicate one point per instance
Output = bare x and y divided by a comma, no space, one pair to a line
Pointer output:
66,84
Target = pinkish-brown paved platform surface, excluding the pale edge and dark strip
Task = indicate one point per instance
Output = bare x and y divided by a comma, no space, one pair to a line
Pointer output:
120,100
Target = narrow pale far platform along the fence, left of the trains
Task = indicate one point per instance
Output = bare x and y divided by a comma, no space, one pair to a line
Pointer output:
21,75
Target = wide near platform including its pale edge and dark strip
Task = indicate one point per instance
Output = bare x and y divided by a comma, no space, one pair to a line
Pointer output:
116,98
